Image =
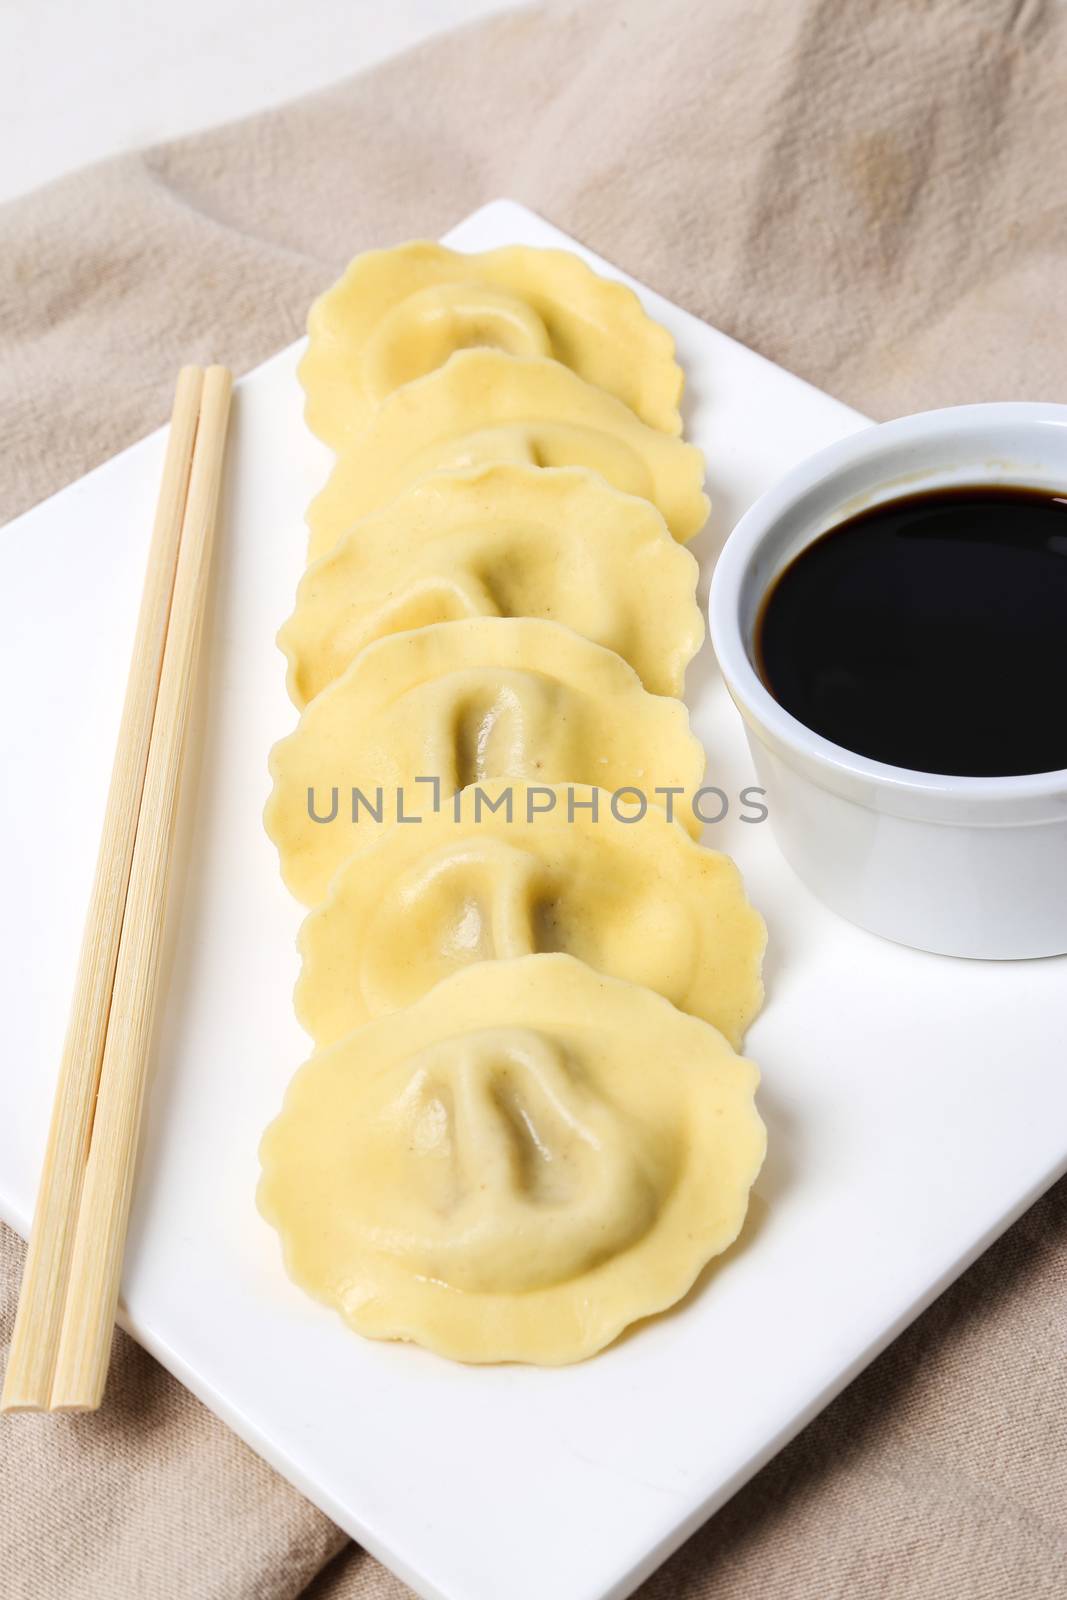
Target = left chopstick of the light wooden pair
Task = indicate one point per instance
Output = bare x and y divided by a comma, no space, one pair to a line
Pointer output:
36,1338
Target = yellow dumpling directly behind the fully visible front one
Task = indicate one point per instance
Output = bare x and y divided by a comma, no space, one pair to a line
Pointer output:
637,900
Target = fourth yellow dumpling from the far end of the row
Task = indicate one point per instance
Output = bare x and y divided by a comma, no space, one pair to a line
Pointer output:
462,703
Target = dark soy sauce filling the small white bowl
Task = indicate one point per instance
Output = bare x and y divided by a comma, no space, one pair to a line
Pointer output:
930,633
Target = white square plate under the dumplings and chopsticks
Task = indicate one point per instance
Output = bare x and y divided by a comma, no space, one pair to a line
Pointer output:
916,1105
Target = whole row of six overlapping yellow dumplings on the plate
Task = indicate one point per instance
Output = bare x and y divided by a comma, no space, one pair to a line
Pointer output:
526,1124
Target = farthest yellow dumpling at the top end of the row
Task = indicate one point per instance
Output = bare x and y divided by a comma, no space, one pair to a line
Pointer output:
399,314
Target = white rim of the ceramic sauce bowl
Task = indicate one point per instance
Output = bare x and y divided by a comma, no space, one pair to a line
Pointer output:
786,734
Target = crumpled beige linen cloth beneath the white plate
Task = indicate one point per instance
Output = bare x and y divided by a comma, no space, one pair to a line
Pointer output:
874,196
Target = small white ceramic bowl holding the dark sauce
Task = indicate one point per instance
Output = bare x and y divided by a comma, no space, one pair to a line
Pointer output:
964,866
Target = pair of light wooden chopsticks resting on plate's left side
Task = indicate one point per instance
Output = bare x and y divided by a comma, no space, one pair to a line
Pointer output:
63,1332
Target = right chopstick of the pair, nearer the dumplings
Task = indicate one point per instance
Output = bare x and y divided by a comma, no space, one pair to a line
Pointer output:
105,1210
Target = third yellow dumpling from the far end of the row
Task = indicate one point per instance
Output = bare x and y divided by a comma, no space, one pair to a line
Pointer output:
503,542
